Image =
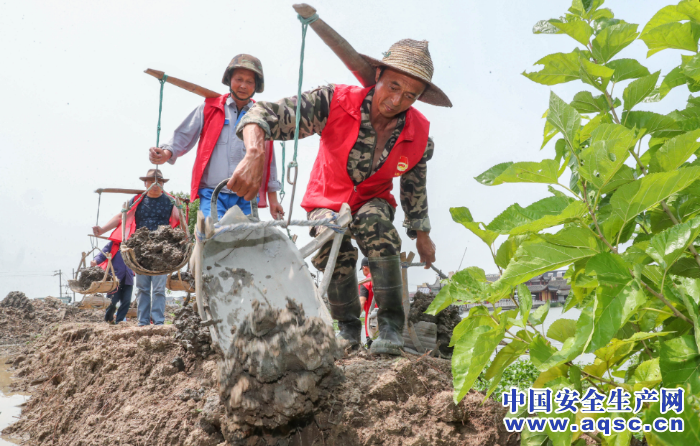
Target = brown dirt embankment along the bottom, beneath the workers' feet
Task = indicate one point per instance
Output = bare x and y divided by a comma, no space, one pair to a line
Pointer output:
123,385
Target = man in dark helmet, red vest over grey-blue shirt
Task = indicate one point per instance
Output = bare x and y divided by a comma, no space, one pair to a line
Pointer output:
213,123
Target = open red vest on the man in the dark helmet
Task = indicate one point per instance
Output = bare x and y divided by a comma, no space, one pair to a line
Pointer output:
214,118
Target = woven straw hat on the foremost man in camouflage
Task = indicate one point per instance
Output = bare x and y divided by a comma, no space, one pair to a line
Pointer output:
412,57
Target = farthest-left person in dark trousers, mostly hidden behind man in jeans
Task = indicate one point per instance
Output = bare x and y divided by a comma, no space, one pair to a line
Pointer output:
121,295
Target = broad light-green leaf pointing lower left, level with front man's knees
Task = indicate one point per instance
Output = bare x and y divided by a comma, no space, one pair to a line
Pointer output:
536,258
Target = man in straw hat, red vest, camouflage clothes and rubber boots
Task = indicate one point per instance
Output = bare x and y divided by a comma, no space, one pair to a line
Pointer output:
368,137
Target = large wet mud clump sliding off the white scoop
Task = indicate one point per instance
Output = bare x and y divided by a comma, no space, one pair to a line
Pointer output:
280,367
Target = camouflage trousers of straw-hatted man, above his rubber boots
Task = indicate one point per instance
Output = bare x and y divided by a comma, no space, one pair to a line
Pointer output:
372,228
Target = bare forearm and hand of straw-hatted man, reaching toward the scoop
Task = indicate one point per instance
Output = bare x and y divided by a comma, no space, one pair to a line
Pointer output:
247,177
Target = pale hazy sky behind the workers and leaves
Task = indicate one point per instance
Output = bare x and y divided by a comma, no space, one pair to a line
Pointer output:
79,114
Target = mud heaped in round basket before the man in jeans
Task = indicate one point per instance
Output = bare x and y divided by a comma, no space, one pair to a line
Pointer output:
160,250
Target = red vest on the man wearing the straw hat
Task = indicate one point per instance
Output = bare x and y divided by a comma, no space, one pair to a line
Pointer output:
330,185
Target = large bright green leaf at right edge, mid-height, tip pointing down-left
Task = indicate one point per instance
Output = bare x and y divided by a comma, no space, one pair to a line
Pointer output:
634,198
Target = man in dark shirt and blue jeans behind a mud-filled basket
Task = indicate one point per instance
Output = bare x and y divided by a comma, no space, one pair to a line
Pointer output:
151,210
